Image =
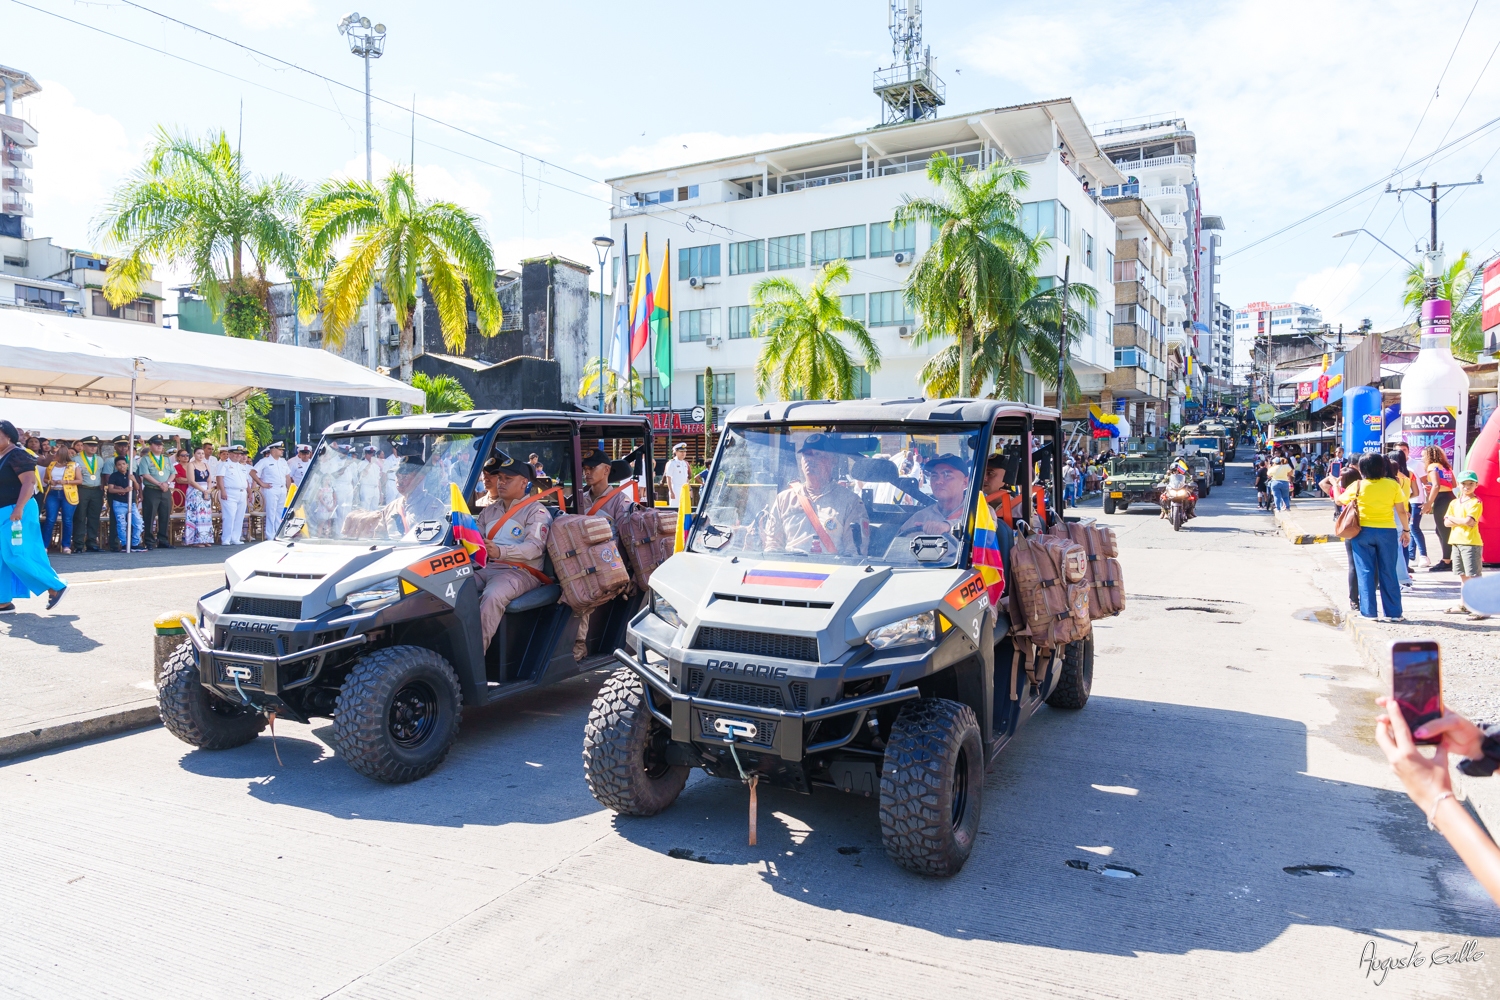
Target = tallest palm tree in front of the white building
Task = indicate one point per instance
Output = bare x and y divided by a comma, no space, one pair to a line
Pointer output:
980,265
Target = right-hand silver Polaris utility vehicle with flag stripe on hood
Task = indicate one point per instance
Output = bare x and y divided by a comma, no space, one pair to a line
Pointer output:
826,627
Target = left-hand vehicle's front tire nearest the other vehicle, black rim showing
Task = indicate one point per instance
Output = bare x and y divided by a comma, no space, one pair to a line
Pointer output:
398,714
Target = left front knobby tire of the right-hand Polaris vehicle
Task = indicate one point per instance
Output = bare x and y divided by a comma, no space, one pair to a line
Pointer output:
623,746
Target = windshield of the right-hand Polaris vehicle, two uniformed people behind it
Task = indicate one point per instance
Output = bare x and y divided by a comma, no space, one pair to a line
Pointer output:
845,494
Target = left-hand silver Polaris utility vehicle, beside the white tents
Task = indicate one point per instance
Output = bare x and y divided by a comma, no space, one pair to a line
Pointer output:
365,608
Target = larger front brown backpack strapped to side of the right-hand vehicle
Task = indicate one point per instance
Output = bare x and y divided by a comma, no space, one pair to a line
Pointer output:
1051,591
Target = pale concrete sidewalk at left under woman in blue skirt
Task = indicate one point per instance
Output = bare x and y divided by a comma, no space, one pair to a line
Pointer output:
55,696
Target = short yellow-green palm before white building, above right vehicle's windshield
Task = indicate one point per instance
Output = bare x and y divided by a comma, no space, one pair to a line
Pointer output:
803,350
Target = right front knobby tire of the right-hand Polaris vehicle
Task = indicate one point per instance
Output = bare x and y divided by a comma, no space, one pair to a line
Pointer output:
932,788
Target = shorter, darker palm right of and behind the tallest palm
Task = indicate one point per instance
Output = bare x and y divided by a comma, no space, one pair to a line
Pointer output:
1028,337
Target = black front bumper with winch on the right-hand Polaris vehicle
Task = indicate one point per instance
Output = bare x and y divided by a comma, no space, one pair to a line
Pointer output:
686,716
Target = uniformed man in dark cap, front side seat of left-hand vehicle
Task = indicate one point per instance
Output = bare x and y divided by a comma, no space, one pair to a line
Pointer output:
514,549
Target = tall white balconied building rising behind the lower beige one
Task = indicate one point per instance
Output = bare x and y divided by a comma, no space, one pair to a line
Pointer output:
1160,166
